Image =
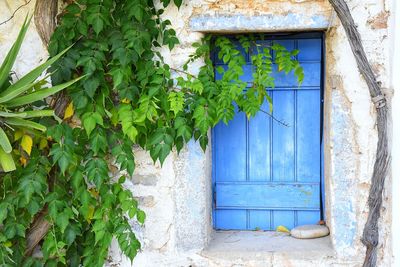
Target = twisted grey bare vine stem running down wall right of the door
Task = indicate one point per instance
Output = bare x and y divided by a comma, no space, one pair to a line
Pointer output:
370,236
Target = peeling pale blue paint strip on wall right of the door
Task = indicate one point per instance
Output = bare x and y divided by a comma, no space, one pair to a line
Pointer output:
343,174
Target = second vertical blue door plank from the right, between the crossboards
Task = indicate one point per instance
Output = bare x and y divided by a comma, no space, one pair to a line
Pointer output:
283,136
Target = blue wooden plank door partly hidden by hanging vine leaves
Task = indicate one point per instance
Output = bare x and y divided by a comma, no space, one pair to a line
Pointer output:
266,174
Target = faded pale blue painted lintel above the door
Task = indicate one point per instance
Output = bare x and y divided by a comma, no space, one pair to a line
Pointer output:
264,23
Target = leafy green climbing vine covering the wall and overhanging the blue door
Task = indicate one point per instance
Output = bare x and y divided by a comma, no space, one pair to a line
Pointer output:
128,96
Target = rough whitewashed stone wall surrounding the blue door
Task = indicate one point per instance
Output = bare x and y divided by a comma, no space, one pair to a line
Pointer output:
177,197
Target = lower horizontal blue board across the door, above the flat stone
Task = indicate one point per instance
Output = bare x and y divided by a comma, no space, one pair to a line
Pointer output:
268,195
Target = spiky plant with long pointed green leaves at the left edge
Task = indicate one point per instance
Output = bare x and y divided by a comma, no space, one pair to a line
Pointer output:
17,99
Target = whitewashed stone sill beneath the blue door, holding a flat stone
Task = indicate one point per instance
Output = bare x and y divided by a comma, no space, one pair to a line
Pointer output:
259,245
